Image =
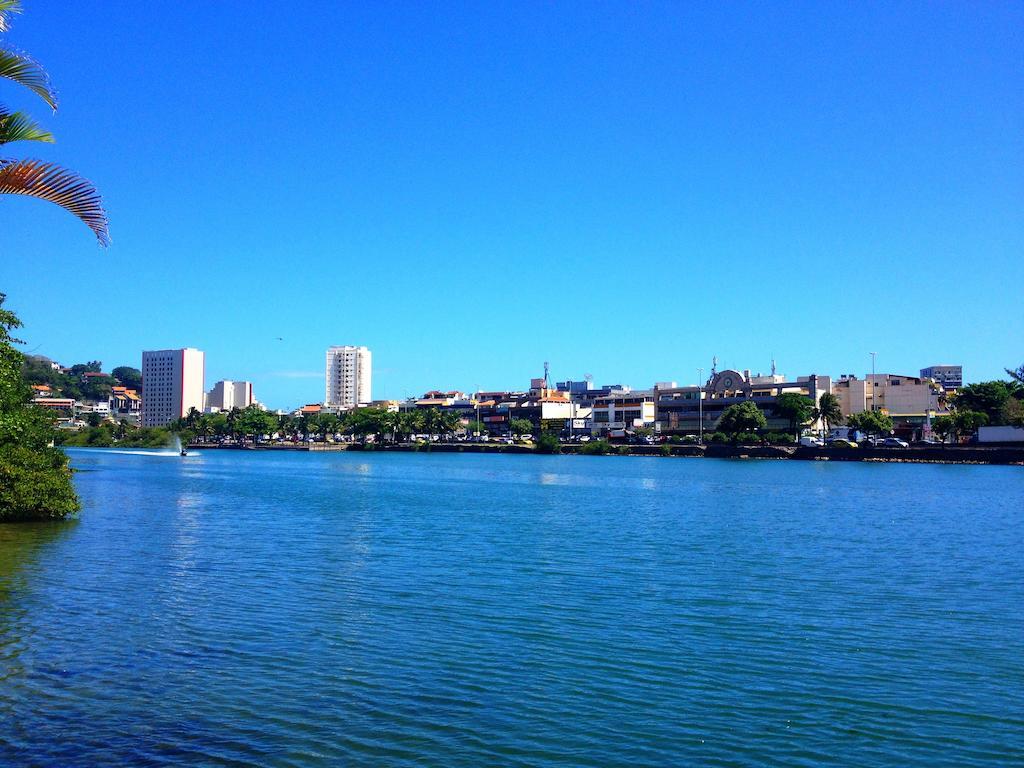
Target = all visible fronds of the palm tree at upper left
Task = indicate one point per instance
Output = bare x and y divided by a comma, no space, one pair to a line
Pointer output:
33,178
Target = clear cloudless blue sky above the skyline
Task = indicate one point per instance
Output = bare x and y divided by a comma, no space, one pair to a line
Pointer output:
623,189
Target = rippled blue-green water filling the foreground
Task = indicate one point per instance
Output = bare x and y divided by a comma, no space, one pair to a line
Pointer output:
466,611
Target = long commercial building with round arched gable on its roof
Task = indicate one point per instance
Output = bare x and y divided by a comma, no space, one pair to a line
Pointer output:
679,410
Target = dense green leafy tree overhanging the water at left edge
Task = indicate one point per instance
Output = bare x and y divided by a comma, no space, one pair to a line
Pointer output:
35,479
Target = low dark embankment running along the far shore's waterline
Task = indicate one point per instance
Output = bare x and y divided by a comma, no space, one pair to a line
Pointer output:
929,454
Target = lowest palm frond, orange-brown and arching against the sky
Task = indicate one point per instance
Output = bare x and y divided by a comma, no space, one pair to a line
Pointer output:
59,186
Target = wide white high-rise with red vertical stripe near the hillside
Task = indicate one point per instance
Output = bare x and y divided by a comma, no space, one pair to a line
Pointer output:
173,385
